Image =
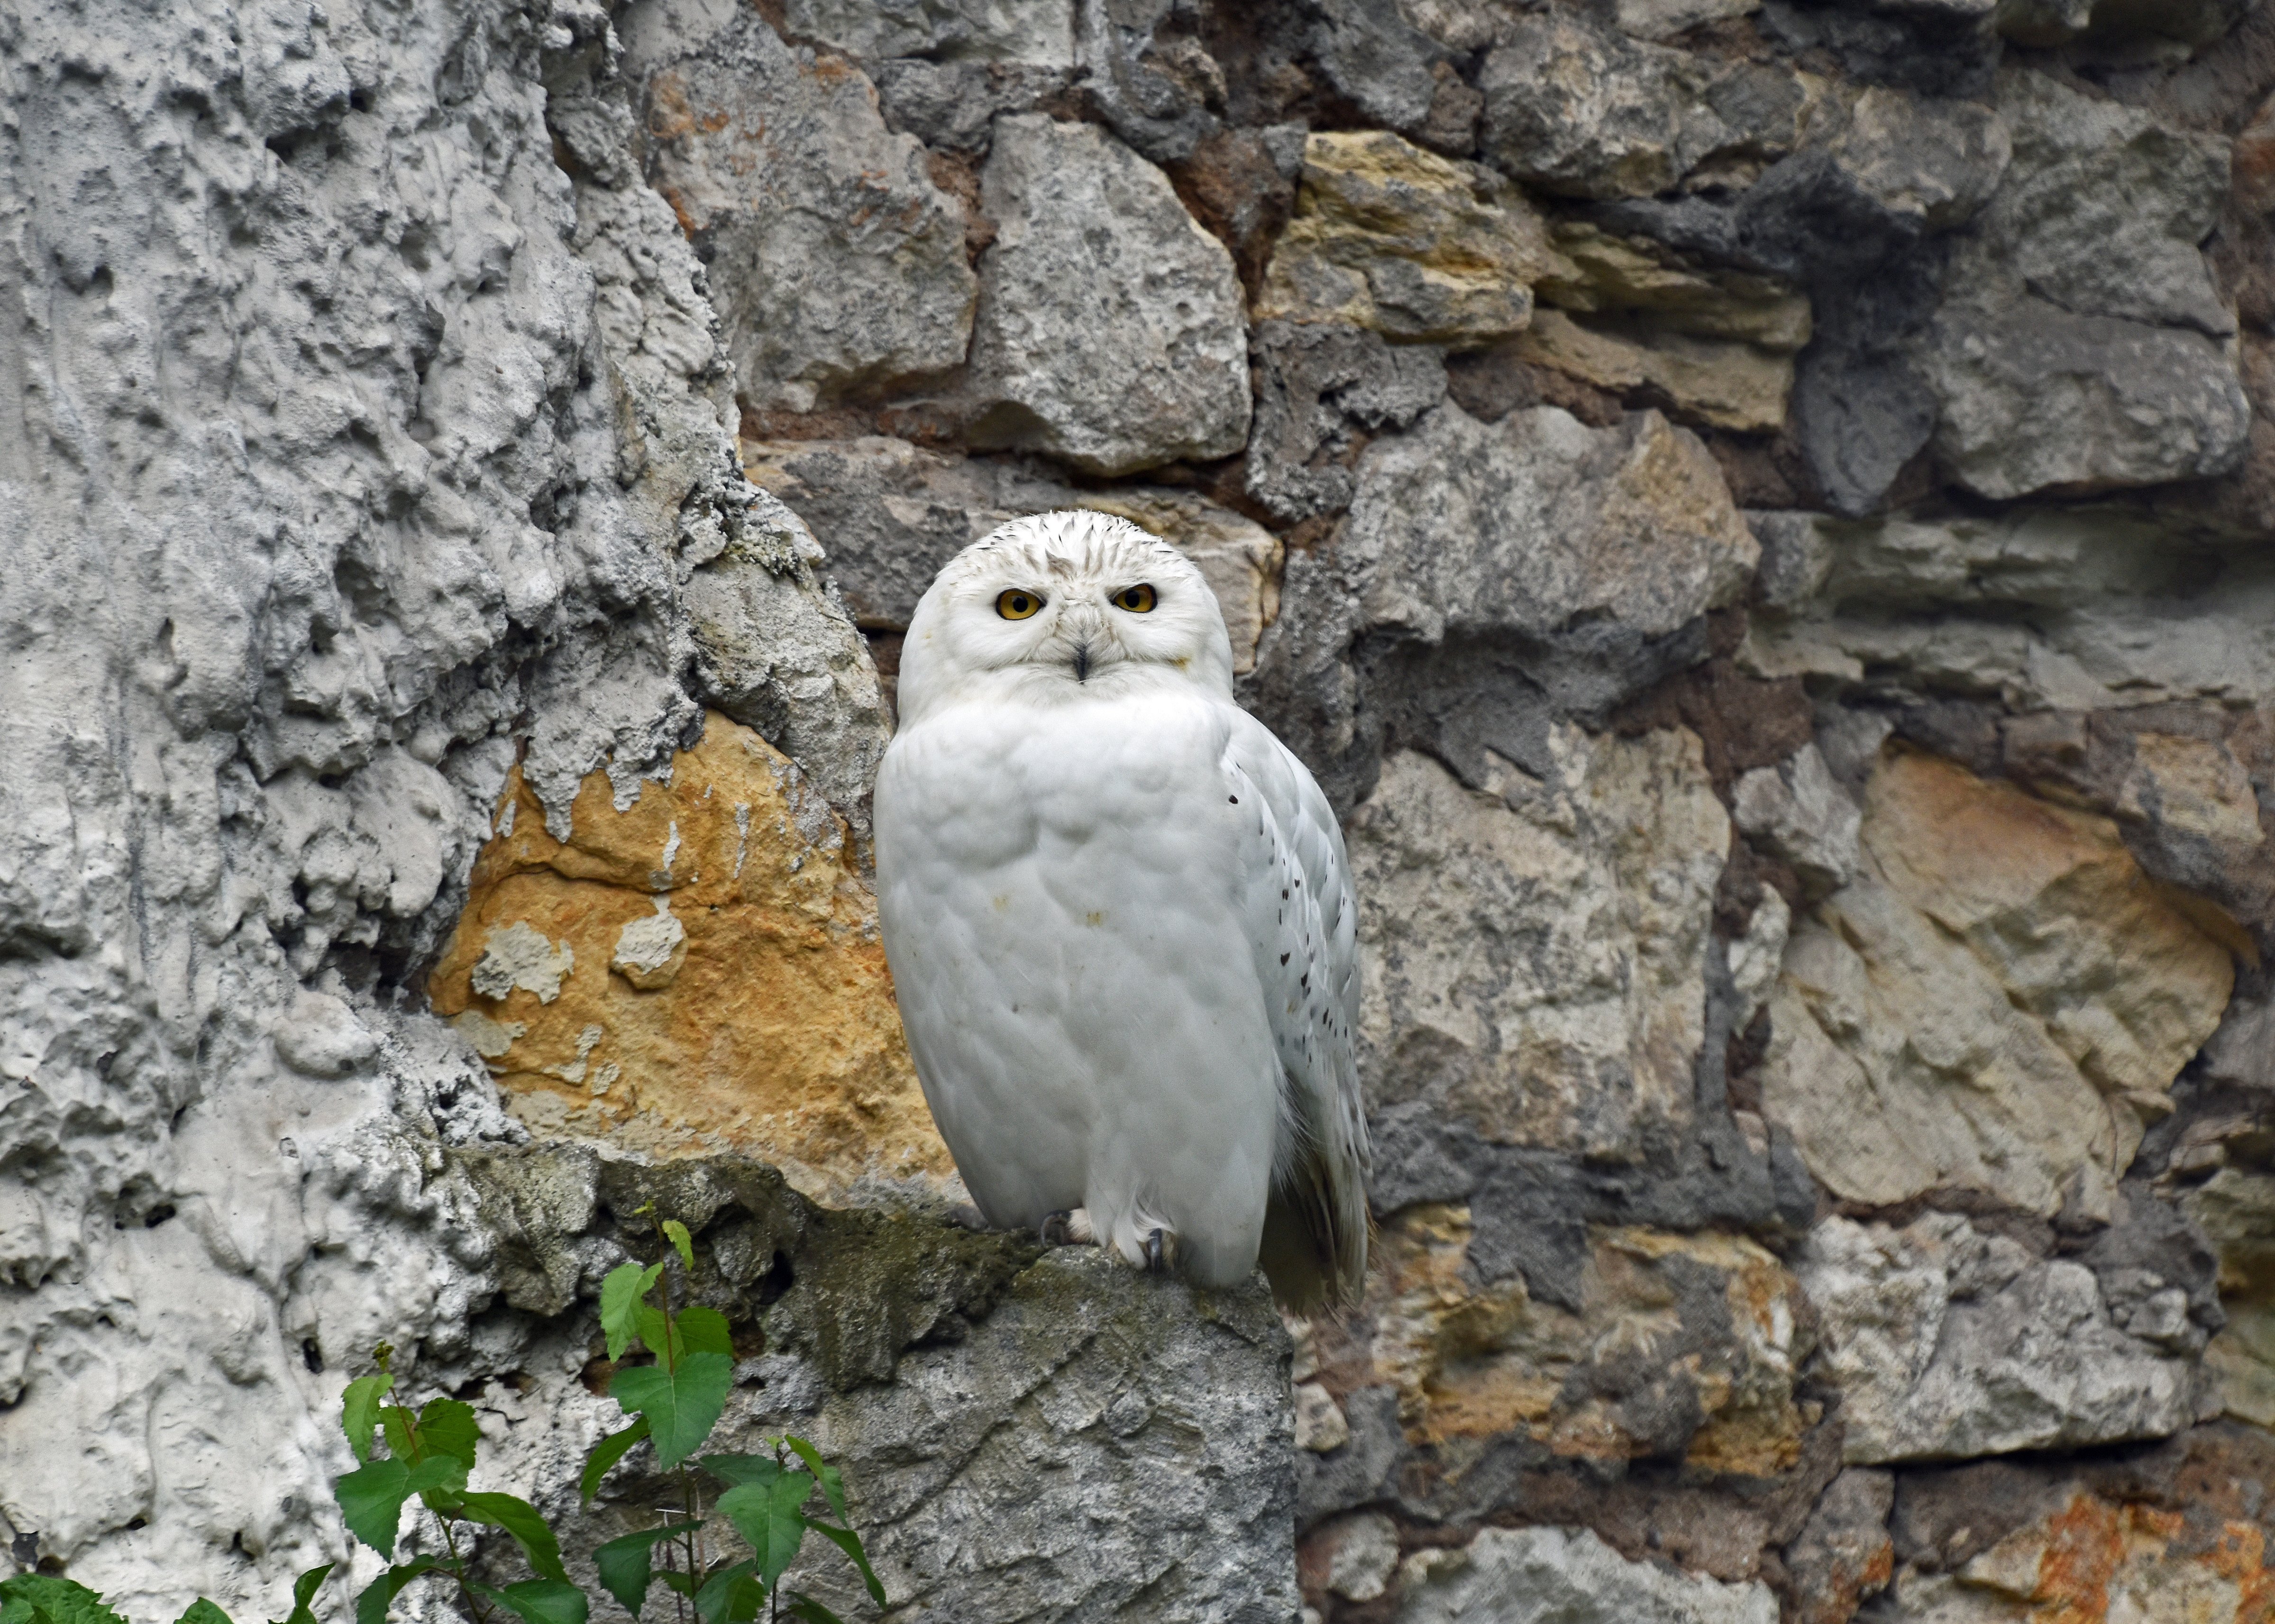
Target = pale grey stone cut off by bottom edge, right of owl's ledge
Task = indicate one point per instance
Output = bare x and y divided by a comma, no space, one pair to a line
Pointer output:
1564,1577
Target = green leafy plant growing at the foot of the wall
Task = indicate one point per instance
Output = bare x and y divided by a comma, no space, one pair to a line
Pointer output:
675,1405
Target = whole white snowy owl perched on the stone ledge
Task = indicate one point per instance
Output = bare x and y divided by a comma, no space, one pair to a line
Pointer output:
1120,920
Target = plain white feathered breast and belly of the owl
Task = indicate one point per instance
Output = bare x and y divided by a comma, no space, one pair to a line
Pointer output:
1064,906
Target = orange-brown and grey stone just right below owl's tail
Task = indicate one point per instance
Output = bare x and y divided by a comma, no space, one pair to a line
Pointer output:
1678,1348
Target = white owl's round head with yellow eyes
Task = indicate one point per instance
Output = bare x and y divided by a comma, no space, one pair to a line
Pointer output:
1064,608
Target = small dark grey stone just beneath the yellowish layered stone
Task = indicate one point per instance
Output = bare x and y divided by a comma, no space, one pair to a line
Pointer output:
1321,392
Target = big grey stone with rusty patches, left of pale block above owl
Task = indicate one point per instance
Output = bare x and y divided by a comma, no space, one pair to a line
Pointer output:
836,263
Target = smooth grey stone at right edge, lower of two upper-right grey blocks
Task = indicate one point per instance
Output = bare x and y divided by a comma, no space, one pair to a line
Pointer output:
2035,399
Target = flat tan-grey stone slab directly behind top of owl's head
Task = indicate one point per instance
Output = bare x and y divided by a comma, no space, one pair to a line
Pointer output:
895,515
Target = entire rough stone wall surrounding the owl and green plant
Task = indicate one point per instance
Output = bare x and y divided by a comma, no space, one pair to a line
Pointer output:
1760,513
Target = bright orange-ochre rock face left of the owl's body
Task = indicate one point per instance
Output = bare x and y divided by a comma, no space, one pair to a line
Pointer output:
697,972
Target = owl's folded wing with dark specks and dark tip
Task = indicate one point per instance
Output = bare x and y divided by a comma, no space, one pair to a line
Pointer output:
1305,936
